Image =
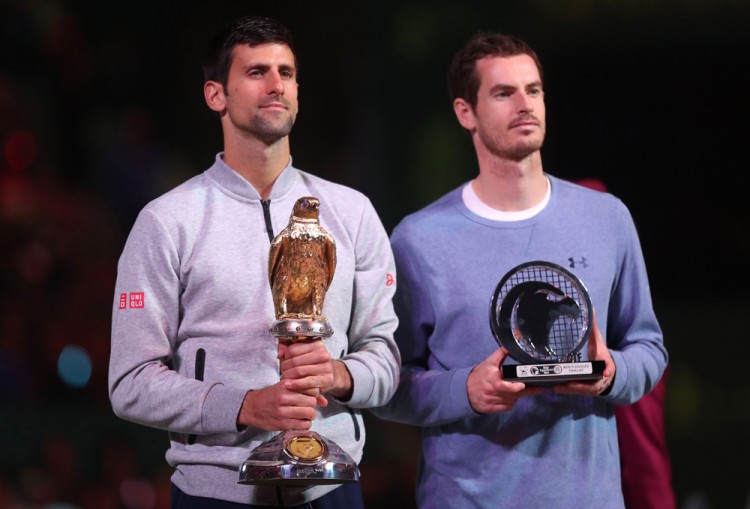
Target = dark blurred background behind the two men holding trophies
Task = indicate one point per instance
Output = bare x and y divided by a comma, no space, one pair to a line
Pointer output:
101,110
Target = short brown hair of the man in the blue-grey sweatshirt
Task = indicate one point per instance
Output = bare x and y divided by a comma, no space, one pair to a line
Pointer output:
463,81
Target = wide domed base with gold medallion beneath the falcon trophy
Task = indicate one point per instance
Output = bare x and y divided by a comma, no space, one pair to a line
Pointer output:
298,458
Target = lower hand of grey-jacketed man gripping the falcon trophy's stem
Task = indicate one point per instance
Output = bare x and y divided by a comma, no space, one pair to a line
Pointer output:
276,408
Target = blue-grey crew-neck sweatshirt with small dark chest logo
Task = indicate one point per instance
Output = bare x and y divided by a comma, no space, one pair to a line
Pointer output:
550,450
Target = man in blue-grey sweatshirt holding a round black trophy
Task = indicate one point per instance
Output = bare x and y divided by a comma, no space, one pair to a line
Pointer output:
490,442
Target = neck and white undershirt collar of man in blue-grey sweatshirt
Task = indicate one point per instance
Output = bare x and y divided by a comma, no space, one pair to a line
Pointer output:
509,185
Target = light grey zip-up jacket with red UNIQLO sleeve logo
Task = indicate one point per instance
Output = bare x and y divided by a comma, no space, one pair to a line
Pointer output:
193,275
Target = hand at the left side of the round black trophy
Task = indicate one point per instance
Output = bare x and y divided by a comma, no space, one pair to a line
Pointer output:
488,392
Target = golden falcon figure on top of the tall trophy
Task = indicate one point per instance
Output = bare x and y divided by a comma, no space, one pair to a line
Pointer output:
301,263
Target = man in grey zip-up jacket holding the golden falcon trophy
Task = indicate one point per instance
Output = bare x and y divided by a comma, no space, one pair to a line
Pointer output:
191,348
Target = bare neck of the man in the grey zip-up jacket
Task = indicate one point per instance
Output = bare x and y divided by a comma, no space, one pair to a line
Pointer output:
259,163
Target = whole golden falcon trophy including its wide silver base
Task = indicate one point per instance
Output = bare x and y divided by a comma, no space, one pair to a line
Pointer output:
301,265
